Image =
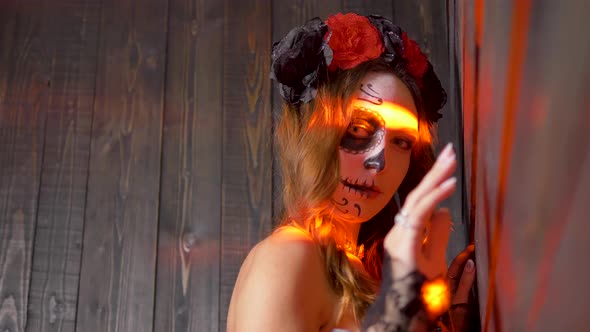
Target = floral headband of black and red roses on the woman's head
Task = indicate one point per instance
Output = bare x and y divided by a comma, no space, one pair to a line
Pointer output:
308,54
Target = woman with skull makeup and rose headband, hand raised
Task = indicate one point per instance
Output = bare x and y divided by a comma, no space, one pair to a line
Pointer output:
361,101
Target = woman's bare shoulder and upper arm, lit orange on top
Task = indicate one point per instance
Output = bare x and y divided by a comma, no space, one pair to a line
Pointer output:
281,283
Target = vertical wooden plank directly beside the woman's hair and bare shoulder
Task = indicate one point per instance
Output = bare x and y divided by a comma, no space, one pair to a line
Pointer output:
247,173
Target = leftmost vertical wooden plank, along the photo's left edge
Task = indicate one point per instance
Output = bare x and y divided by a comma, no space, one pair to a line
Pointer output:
23,92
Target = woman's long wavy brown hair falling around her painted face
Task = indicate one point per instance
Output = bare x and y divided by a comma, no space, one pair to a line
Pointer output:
308,142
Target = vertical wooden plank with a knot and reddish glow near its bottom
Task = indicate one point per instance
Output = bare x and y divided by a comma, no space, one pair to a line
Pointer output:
190,210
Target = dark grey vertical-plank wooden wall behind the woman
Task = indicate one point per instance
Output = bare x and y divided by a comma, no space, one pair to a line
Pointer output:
136,153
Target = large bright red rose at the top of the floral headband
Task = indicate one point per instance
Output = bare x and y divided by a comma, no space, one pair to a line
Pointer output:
353,40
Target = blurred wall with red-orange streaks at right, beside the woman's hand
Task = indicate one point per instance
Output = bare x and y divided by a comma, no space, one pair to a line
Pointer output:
525,79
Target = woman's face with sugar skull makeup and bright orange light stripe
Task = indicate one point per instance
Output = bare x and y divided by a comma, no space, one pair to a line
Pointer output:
375,150
